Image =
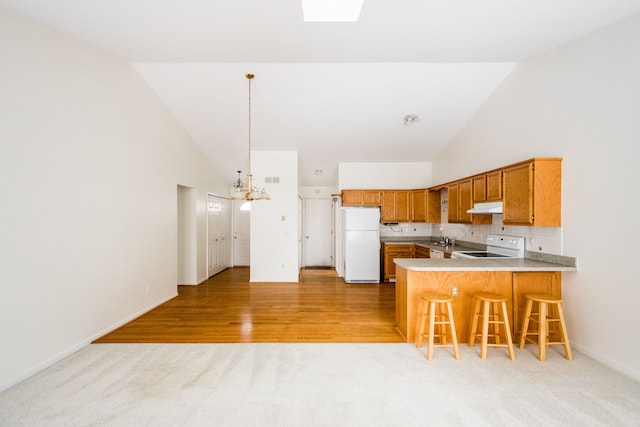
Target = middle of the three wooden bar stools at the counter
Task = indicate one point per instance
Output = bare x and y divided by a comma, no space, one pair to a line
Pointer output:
486,303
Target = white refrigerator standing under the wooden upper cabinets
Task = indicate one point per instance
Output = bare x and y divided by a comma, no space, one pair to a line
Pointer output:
361,245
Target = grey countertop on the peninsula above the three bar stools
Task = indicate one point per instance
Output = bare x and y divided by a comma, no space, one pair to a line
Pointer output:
452,264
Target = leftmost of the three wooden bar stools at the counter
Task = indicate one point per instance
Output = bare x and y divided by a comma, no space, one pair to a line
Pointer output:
433,307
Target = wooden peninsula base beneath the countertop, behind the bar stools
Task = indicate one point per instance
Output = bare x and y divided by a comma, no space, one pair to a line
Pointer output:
514,285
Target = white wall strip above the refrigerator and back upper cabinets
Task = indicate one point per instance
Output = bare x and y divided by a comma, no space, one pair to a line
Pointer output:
384,176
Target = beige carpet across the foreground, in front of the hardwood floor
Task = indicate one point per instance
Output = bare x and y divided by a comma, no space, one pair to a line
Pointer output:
318,385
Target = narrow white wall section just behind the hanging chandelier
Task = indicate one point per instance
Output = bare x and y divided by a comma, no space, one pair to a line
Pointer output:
275,223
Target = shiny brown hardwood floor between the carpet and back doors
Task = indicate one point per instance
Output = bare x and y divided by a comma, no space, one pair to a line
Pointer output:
229,309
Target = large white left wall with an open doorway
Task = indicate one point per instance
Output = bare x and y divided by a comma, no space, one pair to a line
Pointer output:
89,164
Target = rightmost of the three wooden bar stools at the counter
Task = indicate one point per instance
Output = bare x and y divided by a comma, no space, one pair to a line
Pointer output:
543,318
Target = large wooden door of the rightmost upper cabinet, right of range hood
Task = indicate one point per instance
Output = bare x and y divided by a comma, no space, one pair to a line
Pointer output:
518,194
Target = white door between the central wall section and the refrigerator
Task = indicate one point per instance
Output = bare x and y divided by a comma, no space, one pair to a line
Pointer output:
318,232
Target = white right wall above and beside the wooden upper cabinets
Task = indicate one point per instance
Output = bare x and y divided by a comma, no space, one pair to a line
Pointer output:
580,101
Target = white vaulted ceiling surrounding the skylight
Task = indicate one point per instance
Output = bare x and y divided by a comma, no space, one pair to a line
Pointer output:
335,92
